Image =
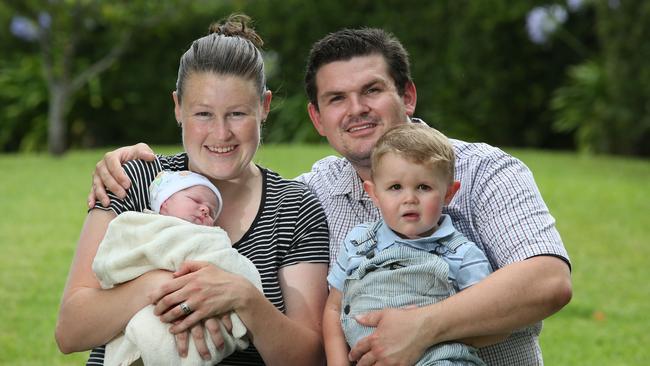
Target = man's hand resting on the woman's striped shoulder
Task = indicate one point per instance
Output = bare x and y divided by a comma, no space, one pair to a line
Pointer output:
109,175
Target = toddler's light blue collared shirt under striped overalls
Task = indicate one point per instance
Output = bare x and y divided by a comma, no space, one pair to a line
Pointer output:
467,264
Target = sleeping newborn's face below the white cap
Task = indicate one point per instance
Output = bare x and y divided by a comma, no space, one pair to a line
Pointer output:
196,204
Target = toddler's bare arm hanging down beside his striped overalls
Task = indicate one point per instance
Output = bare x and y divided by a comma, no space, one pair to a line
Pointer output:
336,348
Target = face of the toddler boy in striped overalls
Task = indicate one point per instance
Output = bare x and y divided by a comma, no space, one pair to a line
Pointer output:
409,195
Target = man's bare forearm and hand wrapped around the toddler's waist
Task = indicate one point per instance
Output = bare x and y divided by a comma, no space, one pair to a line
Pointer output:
513,297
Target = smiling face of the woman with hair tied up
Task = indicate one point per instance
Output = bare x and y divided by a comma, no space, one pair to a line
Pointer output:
221,117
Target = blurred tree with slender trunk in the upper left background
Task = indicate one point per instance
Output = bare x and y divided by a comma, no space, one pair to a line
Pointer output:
77,40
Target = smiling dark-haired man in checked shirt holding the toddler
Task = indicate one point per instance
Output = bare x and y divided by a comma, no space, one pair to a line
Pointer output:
359,86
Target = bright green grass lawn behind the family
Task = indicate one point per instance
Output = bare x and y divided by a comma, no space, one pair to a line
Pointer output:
602,206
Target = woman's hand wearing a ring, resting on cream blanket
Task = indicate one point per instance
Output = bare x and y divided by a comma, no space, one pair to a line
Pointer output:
207,290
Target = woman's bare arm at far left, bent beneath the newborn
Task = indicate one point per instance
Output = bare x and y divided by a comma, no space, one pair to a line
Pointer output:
88,315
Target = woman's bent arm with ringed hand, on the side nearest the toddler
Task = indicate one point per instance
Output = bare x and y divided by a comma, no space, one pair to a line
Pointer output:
293,338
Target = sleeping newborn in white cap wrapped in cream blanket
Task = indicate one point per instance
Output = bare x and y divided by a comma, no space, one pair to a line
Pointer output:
163,238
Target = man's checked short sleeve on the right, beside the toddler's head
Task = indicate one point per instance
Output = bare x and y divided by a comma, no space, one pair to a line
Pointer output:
509,219
